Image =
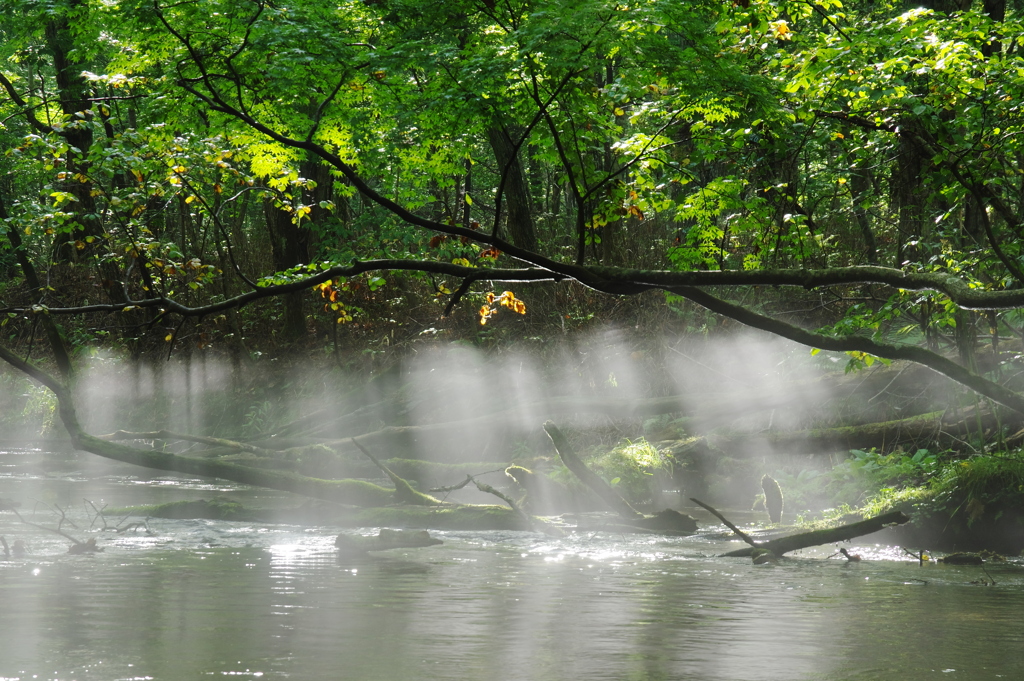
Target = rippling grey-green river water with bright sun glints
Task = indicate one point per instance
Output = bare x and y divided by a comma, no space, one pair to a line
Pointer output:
195,600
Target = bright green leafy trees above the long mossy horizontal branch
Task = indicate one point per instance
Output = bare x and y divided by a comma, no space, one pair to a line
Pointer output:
759,146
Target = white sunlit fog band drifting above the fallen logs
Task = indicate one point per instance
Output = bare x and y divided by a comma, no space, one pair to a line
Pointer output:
458,404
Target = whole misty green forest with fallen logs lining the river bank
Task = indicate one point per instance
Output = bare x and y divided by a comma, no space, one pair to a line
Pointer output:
712,249
